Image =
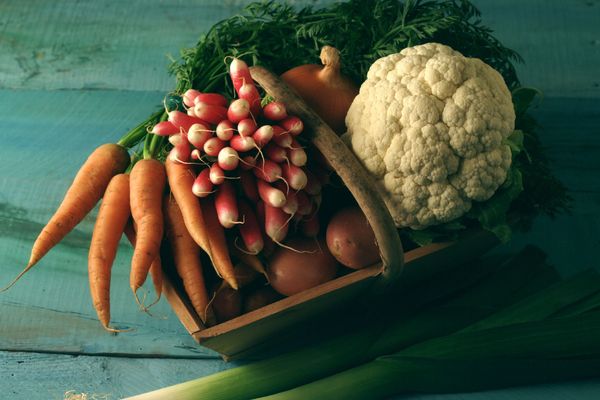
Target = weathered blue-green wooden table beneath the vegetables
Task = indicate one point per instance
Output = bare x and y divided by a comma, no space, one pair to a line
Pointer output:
74,74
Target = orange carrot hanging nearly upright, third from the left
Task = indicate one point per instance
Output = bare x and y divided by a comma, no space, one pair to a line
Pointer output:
146,191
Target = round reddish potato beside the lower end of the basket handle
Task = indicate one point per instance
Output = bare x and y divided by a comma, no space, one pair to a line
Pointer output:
351,240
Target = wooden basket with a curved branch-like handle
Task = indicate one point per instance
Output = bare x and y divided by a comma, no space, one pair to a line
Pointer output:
250,333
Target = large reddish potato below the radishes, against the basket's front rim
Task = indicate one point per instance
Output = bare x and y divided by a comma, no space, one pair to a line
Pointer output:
308,265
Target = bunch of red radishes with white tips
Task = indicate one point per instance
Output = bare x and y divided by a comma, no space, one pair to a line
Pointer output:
249,157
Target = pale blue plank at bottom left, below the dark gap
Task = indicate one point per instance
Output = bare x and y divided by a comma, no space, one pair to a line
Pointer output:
49,376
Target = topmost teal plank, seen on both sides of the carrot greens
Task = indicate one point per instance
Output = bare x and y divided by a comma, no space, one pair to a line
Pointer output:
116,45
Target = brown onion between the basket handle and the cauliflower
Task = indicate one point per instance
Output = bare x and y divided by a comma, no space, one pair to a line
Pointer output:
324,88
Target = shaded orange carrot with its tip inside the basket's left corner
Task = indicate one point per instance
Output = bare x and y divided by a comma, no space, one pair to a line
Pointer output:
186,257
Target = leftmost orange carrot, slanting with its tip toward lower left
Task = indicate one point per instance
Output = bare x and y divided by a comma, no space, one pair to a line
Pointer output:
87,188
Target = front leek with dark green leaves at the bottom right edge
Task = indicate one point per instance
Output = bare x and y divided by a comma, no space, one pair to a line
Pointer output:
525,353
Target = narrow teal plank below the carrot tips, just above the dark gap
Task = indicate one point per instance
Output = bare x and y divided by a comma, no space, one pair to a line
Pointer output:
29,328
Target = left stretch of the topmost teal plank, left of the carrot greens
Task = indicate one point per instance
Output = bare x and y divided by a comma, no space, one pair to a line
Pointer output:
99,45
